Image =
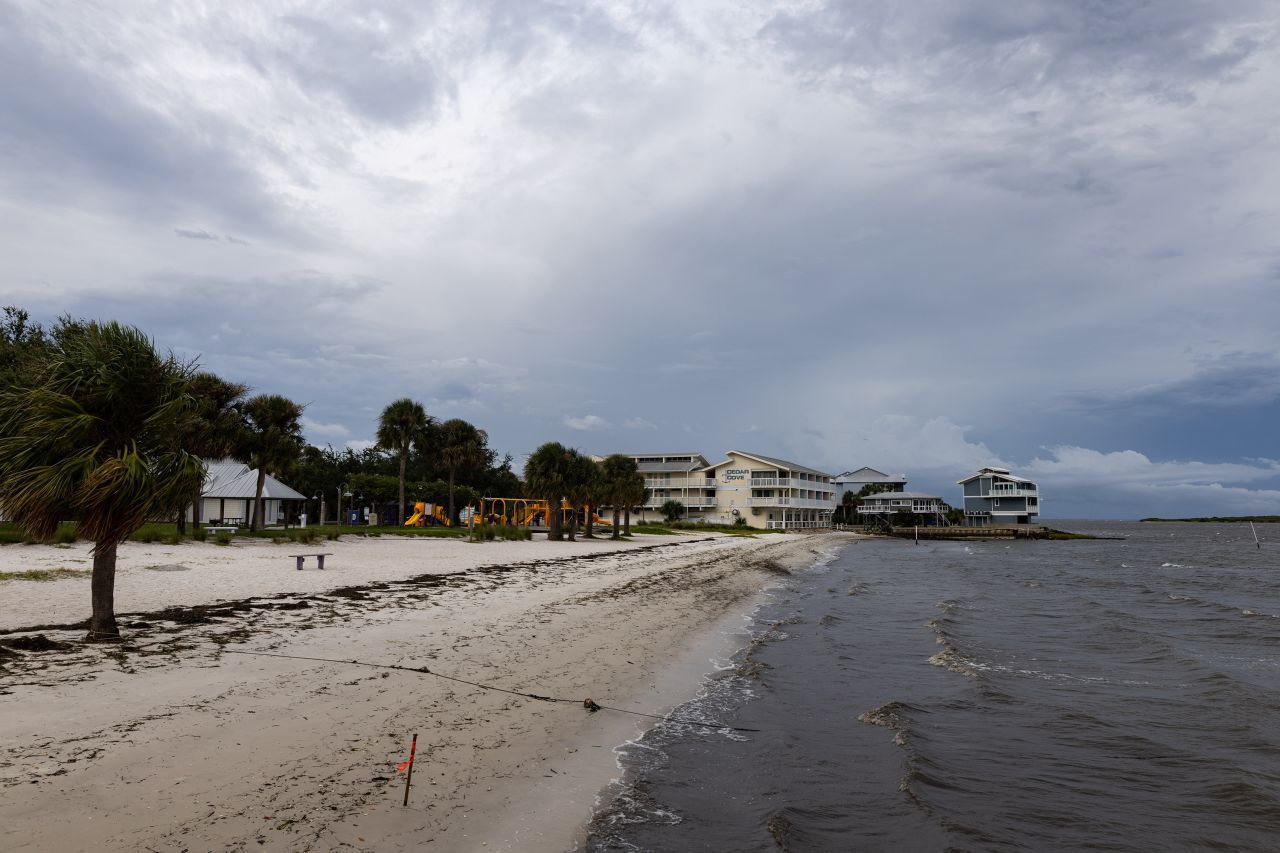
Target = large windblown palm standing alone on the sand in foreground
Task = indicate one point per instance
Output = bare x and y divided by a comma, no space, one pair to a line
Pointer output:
89,437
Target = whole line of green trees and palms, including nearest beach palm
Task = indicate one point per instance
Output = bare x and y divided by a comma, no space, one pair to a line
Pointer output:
102,428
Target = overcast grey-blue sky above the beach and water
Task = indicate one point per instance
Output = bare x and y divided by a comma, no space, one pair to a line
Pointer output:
921,236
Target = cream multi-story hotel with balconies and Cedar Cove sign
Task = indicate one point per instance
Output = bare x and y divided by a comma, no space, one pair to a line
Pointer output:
765,492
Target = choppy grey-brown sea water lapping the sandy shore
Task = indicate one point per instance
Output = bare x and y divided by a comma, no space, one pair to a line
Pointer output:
998,696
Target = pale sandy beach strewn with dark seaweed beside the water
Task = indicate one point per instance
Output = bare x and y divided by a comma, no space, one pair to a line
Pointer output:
176,741
